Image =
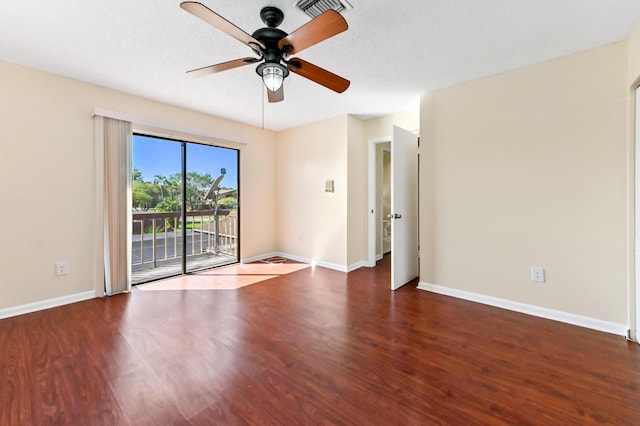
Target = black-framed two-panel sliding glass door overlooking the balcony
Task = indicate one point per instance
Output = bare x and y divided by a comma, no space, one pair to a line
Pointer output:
185,201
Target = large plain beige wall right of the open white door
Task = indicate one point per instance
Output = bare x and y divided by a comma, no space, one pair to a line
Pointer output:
528,168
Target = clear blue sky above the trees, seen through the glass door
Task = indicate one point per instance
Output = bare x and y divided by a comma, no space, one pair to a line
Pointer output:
156,156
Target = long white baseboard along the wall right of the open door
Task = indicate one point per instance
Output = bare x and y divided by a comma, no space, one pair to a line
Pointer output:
579,320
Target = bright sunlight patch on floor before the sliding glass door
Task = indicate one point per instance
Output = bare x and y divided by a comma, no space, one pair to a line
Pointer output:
225,278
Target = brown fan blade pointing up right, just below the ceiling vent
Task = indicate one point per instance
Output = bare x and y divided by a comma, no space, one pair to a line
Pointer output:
319,29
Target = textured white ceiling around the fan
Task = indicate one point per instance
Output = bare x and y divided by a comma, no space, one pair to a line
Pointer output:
392,53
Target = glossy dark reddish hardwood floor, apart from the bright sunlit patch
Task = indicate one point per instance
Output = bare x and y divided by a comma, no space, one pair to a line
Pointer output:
311,347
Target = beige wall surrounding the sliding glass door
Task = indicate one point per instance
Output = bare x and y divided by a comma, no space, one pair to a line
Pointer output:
47,180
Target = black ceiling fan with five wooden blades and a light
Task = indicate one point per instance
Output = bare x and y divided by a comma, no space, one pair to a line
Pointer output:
274,46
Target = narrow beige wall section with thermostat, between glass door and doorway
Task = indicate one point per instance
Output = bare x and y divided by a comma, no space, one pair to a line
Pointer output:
312,223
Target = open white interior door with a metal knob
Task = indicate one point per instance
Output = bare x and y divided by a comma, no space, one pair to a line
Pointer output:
404,207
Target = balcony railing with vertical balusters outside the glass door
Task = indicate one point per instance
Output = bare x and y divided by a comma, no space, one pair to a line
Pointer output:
157,237
